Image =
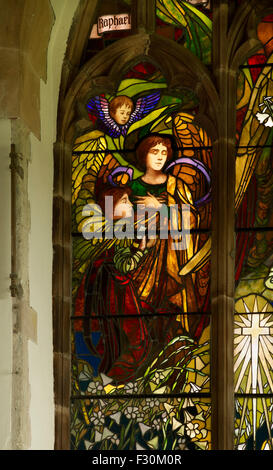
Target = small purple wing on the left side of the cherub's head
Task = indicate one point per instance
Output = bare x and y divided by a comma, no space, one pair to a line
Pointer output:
99,106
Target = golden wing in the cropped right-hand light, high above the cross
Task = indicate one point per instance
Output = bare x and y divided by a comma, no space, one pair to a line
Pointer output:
254,133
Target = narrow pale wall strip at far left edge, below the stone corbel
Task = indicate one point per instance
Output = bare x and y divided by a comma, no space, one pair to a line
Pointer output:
5,298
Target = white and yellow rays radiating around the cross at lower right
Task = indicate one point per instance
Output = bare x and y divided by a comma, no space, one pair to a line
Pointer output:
253,362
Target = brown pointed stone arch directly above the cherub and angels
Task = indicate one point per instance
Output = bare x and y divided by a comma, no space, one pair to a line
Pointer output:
103,72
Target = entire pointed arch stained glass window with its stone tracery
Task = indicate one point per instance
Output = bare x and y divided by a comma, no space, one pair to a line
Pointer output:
151,120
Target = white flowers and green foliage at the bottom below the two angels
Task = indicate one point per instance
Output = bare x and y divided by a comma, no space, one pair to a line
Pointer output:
120,423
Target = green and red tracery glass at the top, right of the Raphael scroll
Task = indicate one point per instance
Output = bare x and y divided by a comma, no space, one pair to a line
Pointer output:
188,23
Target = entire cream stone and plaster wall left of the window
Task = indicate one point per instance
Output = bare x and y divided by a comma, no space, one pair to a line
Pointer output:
33,38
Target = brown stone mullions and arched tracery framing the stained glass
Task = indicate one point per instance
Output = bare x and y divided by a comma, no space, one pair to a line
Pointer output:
220,84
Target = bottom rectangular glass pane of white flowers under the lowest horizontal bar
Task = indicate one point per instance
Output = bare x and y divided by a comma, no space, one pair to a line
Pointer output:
141,424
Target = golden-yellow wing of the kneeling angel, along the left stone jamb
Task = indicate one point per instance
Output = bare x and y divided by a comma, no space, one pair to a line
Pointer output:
91,165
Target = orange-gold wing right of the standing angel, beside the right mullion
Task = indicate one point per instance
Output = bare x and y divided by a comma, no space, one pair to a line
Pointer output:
196,152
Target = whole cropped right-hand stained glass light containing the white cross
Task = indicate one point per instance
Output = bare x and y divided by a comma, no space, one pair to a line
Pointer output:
253,354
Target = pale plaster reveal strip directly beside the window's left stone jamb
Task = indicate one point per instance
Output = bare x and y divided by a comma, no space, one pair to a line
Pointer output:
40,242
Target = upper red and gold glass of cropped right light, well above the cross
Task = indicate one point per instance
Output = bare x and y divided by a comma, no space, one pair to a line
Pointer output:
253,196
